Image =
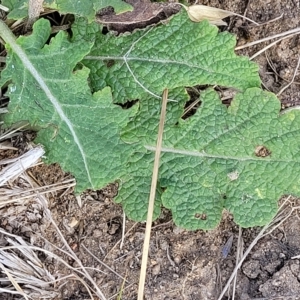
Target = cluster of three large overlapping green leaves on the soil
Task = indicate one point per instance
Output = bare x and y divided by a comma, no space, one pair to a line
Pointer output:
242,158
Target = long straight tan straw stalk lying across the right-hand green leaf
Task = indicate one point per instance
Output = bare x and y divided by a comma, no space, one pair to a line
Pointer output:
152,196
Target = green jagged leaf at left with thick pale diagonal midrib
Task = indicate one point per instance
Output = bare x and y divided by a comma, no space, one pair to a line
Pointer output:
79,130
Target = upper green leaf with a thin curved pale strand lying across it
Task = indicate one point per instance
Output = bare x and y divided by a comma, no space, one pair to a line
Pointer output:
180,53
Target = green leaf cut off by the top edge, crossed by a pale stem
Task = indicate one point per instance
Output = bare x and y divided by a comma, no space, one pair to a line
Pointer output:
88,9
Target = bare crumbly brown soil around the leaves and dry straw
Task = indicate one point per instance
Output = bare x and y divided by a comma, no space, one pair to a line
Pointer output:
182,264
